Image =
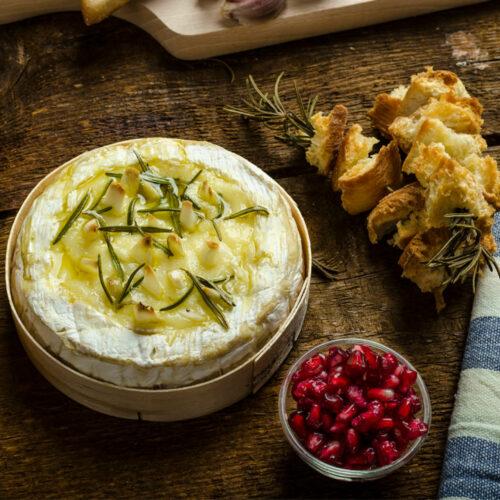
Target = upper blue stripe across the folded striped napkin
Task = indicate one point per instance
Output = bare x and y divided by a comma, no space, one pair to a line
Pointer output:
483,344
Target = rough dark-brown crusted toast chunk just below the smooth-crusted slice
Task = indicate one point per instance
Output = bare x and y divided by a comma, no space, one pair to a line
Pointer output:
393,208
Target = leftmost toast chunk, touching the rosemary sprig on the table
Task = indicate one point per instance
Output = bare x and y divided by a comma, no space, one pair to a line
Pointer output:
329,131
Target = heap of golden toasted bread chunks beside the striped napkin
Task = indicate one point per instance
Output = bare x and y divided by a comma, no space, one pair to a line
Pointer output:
437,125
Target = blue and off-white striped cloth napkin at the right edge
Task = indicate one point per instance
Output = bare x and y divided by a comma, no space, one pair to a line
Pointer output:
472,459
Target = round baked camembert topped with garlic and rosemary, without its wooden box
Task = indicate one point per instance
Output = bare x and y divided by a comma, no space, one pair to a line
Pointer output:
157,262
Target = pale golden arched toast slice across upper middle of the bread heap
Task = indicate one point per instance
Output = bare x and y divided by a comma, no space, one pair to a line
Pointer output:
457,145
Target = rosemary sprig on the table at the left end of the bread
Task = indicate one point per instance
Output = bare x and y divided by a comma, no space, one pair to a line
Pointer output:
297,128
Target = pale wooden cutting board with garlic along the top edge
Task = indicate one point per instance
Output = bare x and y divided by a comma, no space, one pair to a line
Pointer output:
195,29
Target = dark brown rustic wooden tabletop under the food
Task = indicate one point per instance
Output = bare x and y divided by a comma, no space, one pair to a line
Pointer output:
67,88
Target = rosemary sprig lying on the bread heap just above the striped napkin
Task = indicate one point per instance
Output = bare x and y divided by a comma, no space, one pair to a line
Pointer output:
463,253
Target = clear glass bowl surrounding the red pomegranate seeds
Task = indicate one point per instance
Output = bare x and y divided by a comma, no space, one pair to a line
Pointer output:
287,405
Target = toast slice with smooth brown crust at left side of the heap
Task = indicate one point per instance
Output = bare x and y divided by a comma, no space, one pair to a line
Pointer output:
367,182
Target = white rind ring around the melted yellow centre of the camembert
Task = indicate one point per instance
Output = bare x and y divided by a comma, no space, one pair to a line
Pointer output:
92,341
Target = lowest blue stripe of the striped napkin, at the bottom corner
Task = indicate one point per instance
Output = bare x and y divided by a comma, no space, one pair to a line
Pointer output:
471,469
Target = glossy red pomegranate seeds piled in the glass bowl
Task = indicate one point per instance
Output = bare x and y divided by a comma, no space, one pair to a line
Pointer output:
356,409
